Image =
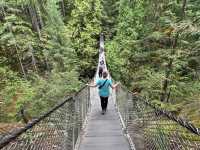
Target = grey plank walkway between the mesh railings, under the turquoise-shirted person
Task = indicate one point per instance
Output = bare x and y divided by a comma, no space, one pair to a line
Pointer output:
103,132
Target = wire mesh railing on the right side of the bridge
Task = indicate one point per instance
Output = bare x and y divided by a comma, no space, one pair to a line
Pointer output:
151,128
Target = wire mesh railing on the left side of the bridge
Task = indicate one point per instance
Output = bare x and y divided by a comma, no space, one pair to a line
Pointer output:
58,129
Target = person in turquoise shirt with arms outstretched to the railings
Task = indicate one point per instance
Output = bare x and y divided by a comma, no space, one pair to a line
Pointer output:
104,85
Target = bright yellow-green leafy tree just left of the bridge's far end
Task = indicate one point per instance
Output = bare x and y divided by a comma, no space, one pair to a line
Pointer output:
85,28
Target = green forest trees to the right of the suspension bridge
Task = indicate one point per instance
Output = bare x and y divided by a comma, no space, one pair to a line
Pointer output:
156,48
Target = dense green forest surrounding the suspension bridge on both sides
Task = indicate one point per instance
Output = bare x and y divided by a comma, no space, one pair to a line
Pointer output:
49,49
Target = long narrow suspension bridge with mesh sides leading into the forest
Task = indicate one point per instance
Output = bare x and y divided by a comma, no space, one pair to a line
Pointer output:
131,123
